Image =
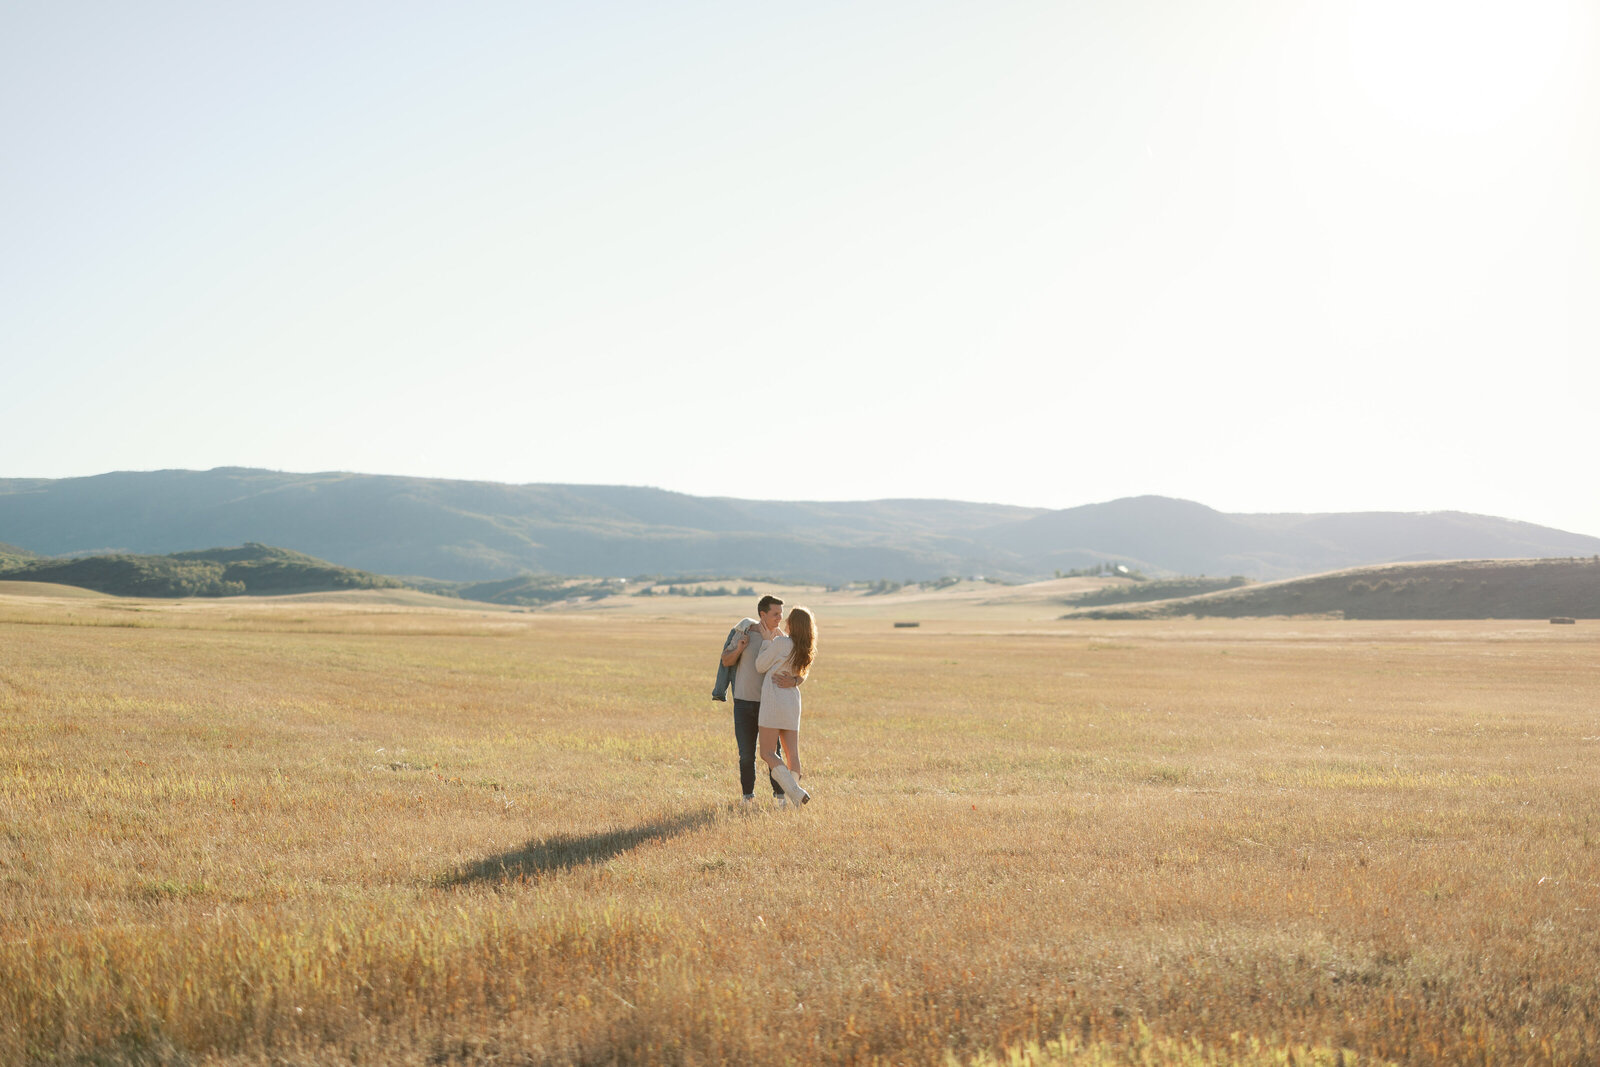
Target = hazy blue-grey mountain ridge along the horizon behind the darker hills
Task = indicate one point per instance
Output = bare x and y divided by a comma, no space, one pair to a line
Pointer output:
487,532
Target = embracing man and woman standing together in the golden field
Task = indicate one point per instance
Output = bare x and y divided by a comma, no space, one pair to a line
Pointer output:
767,660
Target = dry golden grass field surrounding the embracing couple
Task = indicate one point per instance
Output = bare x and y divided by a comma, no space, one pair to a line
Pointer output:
342,829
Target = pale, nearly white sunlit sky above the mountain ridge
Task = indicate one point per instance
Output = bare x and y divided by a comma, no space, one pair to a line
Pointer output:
1262,255
